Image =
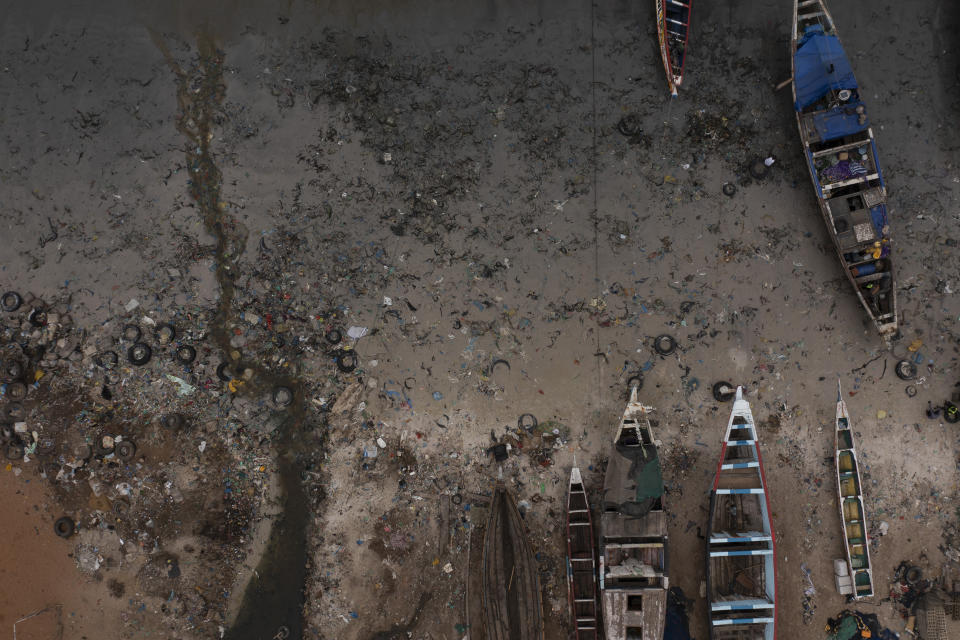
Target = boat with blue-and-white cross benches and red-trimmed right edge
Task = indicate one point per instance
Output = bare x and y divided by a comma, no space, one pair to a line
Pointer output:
741,553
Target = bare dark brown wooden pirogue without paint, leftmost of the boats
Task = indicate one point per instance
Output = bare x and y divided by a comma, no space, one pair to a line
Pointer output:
511,587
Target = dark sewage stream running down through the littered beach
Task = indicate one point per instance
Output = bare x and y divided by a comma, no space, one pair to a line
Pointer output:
273,600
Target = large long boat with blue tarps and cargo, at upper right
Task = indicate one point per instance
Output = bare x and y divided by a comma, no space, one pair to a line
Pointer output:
841,155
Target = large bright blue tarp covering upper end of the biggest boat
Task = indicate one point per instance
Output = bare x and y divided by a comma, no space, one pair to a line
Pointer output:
812,63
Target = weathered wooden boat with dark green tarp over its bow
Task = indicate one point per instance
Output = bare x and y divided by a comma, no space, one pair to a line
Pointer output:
633,532
